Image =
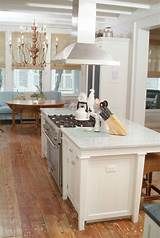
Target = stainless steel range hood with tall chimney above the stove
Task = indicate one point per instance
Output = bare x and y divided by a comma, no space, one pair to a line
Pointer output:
84,51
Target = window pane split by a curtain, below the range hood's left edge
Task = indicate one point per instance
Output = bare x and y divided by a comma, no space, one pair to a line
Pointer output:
69,83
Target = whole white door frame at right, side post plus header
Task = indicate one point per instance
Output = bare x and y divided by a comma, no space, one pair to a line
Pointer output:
140,57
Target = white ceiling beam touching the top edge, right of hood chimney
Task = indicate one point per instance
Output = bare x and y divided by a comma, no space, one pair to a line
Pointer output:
124,4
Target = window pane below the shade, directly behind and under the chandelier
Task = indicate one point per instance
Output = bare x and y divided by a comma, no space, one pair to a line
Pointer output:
26,80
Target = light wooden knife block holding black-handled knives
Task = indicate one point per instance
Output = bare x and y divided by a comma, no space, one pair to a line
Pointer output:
111,121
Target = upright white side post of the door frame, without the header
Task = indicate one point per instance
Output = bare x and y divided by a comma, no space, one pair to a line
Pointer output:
139,75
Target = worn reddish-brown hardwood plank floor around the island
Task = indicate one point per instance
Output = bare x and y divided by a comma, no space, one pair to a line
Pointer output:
30,204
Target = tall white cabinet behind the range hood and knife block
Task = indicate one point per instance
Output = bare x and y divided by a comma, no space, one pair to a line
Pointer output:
114,79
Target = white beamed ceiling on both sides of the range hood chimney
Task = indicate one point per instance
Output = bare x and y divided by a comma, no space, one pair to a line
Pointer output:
58,12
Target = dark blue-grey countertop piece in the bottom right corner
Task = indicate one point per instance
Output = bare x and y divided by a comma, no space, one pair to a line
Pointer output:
153,211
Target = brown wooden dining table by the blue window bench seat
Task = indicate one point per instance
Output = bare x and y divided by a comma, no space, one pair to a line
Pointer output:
20,106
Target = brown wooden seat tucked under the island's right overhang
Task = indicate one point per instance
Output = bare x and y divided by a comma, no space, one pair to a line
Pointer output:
152,164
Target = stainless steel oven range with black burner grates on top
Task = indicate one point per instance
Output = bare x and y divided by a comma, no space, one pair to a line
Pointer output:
53,134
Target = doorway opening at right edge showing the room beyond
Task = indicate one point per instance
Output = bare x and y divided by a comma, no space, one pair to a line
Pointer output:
152,110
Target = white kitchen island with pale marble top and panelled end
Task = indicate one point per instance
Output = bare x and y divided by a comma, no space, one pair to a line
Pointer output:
102,173
